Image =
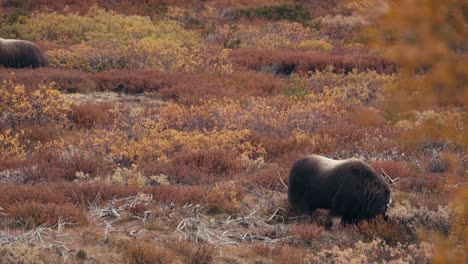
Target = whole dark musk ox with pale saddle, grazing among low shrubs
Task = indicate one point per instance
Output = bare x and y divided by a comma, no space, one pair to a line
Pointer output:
350,188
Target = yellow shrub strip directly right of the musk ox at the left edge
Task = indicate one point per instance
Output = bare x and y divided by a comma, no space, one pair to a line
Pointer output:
148,53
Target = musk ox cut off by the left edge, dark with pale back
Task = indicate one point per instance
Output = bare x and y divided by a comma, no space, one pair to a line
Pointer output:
15,53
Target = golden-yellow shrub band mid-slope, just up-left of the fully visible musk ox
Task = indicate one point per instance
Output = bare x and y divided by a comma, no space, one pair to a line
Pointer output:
149,141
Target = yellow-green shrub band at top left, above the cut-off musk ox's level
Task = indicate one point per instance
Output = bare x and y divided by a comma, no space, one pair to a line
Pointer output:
101,27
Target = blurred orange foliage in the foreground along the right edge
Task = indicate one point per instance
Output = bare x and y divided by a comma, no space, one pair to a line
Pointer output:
428,40
